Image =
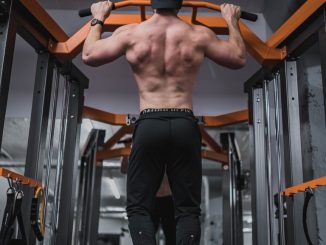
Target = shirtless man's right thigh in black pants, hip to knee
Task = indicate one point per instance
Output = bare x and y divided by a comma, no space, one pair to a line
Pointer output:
185,169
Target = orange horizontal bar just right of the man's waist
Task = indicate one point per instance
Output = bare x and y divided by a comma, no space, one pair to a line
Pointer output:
227,119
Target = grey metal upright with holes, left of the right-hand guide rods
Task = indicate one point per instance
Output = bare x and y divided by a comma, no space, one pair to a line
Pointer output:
261,234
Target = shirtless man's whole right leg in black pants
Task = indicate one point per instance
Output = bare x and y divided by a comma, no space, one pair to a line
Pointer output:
185,174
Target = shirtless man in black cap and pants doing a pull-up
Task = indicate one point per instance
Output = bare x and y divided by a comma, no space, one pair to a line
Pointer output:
165,54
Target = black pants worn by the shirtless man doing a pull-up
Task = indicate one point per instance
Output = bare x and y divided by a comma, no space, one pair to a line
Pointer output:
165,140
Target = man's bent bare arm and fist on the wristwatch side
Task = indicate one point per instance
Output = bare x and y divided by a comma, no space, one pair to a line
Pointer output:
97,51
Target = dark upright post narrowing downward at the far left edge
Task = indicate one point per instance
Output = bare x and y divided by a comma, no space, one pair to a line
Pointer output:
8,29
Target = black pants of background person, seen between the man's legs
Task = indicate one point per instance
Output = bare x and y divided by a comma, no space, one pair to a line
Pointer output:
164,215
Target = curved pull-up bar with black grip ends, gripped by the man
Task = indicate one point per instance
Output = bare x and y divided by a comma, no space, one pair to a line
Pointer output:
244,15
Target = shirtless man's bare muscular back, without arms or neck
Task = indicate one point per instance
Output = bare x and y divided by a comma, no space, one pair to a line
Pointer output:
165,55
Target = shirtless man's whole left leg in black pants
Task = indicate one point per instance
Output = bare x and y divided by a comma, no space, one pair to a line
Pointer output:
145,173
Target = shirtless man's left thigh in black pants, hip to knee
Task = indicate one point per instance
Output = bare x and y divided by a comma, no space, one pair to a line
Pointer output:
146,164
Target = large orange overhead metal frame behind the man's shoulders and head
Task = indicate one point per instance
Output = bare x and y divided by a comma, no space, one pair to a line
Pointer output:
264,52
